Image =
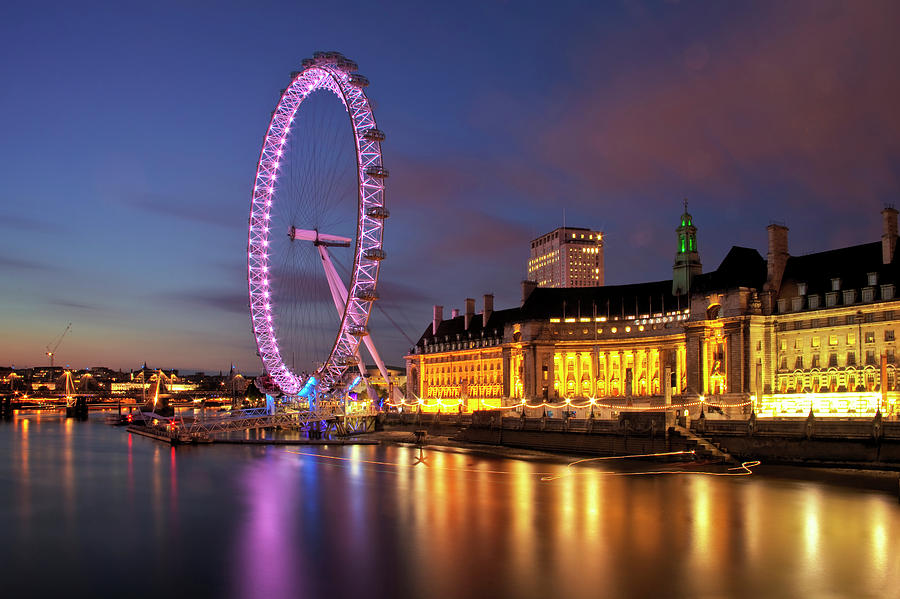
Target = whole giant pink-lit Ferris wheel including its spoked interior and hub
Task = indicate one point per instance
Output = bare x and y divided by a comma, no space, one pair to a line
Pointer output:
316,224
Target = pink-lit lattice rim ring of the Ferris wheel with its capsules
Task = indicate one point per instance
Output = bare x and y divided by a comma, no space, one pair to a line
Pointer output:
333,72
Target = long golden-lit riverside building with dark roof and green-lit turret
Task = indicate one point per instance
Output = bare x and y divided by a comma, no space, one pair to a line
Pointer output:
780,335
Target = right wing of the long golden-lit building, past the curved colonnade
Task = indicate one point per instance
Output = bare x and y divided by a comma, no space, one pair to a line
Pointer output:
833,328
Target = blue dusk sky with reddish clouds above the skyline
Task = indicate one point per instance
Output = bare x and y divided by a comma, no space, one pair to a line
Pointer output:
131,131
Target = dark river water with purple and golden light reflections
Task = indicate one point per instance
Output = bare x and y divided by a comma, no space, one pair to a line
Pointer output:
89,510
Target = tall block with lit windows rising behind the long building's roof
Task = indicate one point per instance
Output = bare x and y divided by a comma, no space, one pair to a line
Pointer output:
567,257
